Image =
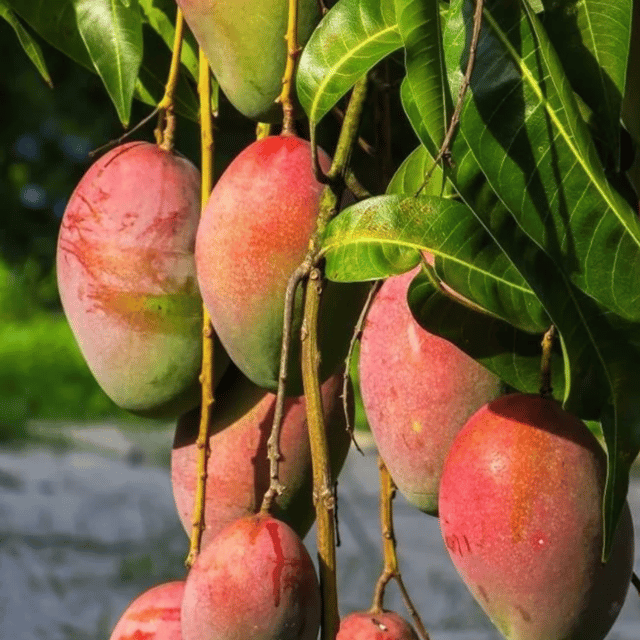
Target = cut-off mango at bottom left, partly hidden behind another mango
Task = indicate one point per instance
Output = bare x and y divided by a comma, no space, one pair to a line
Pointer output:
153,615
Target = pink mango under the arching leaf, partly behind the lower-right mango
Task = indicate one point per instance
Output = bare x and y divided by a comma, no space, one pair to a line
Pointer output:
418,391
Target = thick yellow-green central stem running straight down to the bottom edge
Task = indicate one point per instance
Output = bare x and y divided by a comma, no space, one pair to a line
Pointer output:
323,488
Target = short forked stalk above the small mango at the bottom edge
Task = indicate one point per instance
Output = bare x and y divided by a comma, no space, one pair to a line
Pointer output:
391,570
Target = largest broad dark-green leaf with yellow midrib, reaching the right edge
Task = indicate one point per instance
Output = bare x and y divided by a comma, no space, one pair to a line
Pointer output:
522,124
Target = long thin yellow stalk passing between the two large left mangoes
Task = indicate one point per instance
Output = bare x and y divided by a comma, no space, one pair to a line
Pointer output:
206,375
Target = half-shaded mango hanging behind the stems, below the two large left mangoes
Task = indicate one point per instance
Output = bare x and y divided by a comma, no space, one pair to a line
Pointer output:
238,468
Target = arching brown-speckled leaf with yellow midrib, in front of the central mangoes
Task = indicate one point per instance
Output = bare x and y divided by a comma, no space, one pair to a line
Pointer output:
383,236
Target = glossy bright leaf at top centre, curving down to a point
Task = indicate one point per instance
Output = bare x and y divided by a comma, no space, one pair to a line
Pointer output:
351,38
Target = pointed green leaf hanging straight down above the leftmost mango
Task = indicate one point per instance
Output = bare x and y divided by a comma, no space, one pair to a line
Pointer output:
112,34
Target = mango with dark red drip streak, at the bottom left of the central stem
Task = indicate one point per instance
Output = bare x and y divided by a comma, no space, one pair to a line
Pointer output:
254,580
